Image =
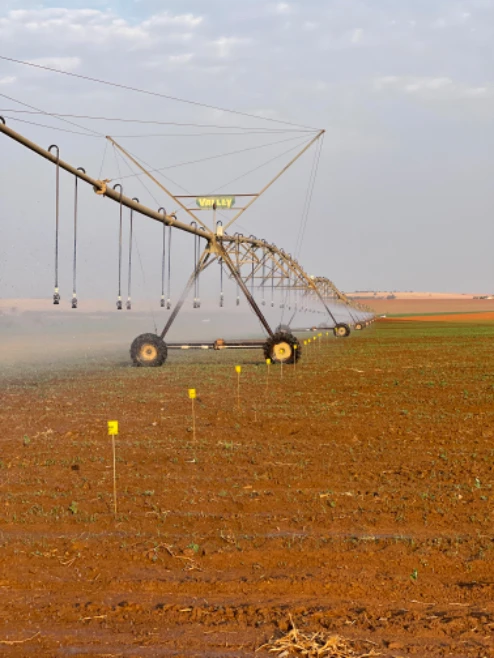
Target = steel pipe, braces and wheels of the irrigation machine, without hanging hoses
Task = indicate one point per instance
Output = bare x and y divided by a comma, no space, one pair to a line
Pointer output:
255,265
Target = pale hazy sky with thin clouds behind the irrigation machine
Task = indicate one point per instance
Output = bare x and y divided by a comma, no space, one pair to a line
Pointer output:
405,91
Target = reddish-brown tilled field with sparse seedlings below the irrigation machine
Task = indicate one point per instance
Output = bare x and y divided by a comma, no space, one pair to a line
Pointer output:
355,494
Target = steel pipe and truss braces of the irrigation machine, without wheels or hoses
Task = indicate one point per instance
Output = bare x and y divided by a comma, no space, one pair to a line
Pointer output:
252,263
